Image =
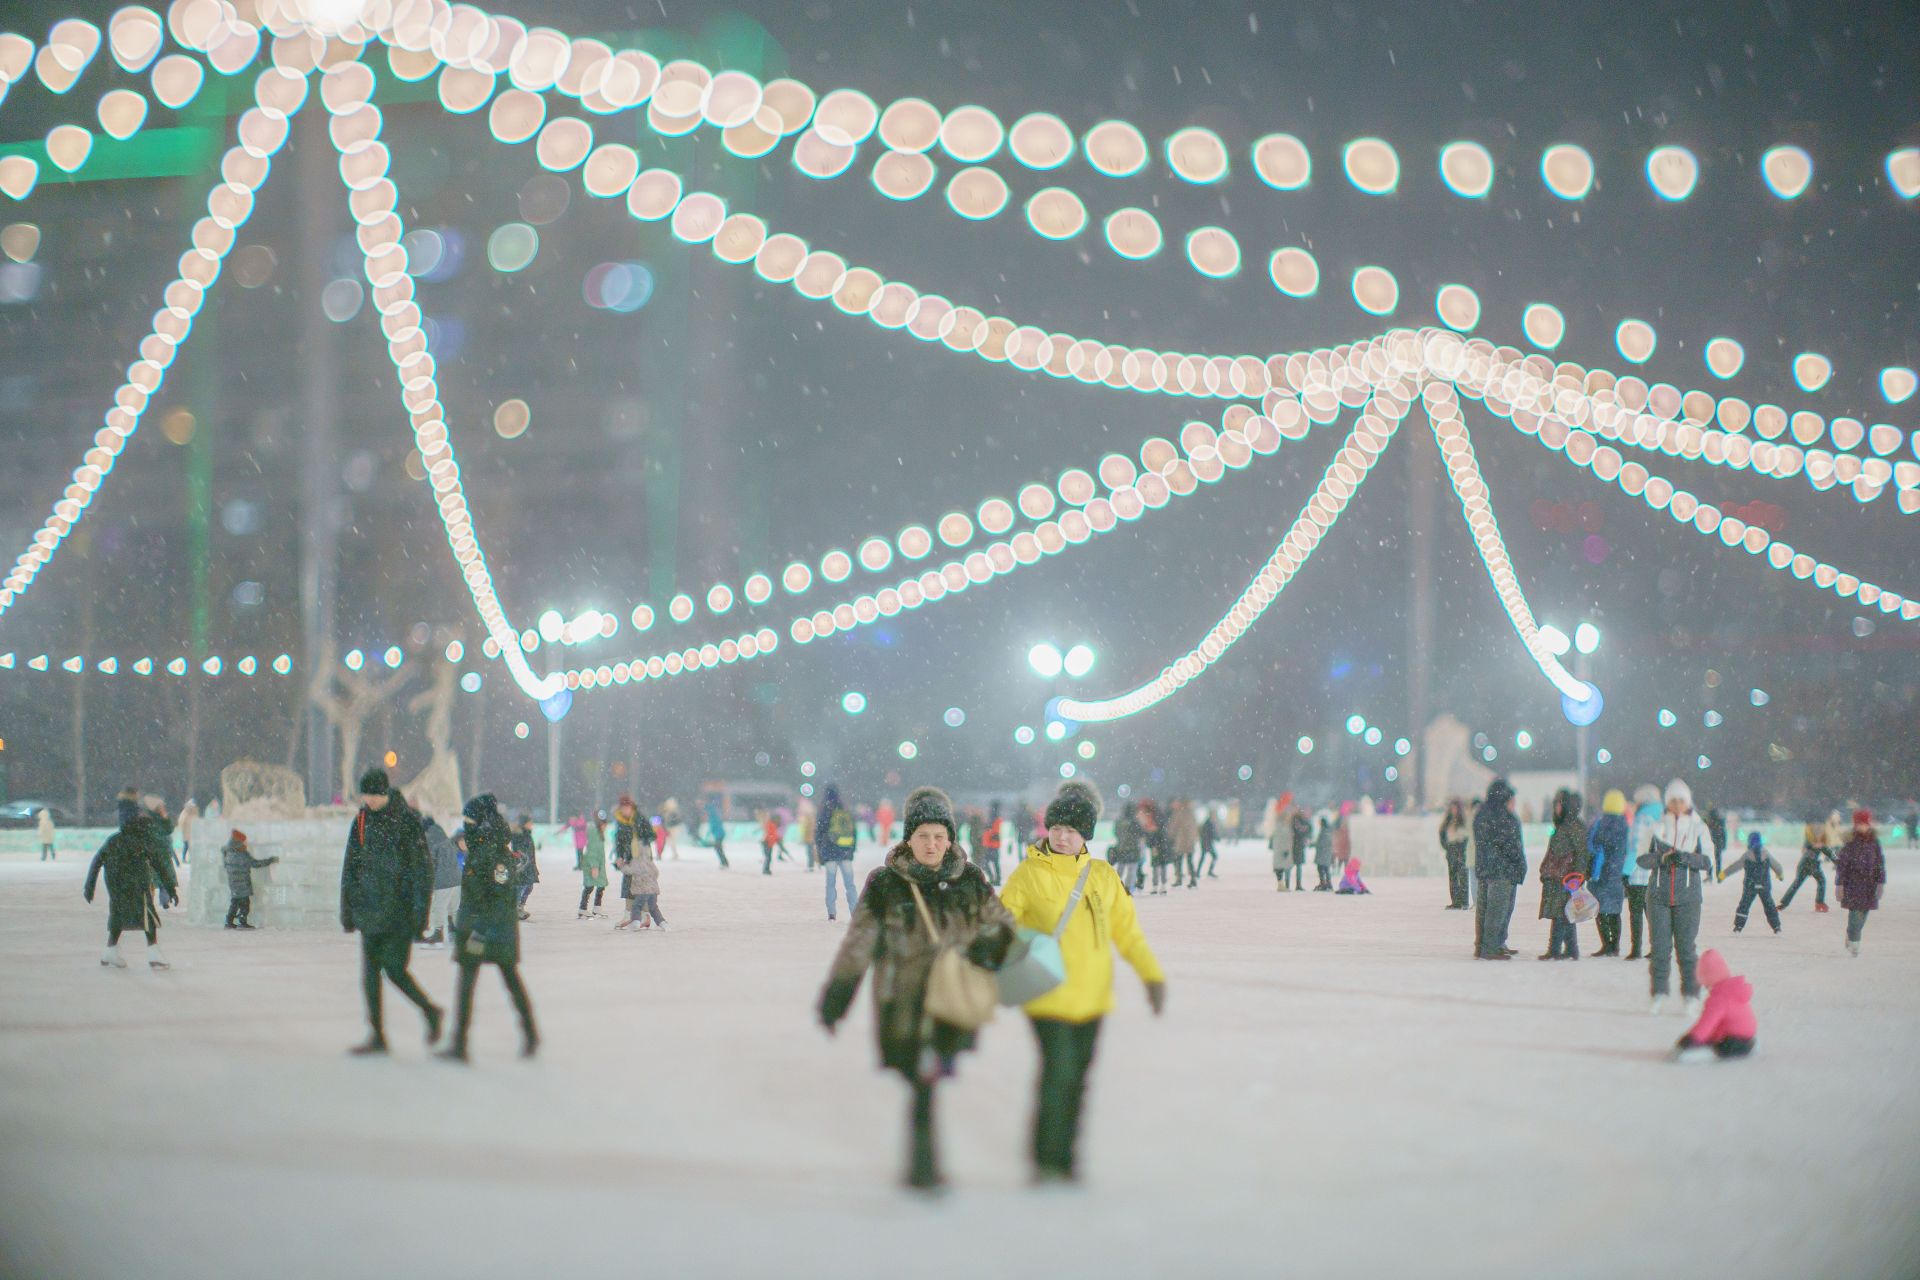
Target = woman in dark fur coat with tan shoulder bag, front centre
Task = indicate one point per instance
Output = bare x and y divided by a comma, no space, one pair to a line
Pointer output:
919,903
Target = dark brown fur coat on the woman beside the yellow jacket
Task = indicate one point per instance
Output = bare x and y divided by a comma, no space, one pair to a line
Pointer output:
888,936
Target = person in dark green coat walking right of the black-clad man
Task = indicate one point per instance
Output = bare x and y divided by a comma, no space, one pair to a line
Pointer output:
489,930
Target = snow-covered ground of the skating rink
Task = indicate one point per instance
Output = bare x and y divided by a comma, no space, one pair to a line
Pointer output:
1337,1089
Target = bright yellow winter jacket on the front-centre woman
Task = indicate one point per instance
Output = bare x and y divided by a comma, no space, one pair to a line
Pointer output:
1038,893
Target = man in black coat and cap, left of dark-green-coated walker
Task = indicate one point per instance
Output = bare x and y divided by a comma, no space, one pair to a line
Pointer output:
387,886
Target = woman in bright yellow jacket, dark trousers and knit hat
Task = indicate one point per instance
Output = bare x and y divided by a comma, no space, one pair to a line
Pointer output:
1067,1020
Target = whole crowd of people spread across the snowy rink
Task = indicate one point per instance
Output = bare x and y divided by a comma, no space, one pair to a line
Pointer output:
938,920
